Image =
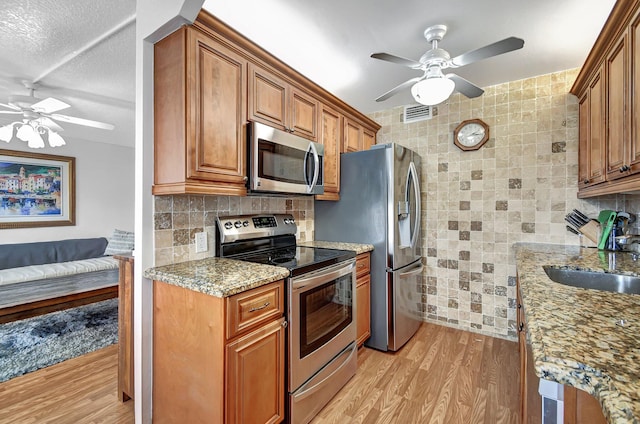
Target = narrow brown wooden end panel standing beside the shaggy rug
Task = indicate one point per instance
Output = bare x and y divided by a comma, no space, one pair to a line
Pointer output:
125,328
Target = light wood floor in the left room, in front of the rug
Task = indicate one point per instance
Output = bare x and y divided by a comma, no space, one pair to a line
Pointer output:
78,391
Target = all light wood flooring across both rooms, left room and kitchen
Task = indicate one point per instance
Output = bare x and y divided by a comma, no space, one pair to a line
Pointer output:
442,375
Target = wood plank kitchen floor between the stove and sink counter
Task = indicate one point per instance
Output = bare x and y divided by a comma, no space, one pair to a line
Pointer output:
442,375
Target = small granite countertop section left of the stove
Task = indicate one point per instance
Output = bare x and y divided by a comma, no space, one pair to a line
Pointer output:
218,277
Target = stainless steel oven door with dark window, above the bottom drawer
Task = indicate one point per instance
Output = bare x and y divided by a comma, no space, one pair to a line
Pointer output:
321,319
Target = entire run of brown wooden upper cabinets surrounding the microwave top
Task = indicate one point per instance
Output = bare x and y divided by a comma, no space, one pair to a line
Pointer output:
209,82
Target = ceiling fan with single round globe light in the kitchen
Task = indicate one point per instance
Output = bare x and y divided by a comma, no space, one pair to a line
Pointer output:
434,87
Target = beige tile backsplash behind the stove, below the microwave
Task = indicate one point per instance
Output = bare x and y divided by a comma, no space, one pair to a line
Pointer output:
178,218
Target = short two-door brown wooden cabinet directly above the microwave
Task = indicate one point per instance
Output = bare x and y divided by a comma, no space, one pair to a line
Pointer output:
274,102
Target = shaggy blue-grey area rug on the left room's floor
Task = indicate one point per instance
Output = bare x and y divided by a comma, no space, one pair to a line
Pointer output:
34,343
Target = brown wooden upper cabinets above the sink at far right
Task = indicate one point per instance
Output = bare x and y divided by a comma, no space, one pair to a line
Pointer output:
608,87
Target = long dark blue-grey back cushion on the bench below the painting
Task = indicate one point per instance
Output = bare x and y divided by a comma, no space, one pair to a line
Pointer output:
38,253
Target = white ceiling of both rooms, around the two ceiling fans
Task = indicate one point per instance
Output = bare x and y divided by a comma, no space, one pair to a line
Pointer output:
83,52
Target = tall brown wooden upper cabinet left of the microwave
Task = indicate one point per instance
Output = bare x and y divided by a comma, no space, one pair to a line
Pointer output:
200,115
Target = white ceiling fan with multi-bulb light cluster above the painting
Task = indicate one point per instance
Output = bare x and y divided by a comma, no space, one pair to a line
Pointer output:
38,119
